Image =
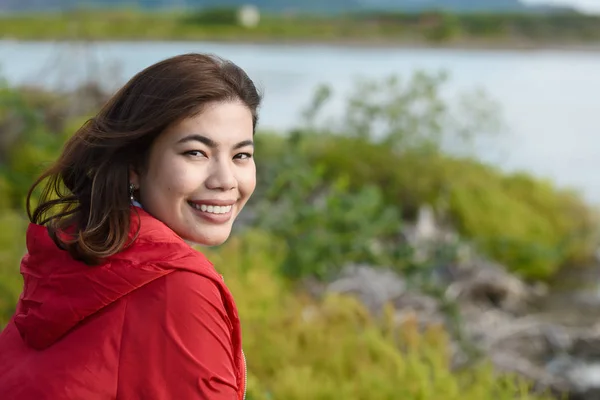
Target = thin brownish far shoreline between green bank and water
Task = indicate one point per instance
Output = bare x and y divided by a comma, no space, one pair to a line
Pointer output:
378,43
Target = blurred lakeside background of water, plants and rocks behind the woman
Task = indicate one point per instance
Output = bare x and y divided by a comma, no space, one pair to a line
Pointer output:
425,225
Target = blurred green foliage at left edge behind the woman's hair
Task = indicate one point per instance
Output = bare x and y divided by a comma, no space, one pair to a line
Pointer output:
25,142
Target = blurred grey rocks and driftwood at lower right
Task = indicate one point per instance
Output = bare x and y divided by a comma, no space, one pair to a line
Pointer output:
495,320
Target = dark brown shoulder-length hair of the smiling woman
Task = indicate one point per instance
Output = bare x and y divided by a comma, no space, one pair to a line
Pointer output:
84,198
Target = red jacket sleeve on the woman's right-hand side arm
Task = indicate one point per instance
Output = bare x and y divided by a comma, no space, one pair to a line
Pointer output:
177,343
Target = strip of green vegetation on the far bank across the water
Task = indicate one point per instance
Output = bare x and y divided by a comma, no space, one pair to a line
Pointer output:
221,24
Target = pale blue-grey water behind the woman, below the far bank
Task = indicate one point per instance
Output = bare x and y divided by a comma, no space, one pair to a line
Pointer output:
549,99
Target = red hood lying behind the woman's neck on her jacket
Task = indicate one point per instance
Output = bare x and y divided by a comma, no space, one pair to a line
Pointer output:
60,292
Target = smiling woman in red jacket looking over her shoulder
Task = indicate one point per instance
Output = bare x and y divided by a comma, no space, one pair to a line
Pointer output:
116,304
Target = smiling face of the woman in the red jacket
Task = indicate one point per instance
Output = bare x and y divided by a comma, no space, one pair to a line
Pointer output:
200,173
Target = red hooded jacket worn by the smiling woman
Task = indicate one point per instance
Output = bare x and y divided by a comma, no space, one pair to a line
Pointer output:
154,322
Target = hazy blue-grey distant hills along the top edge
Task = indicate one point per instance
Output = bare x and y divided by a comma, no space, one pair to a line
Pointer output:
277,6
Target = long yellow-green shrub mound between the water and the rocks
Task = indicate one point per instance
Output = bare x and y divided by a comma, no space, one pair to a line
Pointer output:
526,223
